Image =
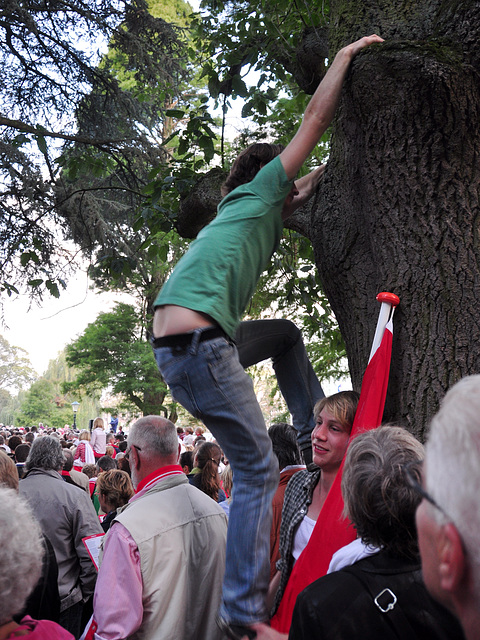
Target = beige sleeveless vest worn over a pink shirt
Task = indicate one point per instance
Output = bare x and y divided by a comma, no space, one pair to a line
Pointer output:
181,535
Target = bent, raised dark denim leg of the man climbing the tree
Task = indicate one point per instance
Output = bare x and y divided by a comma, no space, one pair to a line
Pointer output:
281,340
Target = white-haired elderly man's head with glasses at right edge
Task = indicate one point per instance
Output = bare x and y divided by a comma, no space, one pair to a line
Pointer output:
448,518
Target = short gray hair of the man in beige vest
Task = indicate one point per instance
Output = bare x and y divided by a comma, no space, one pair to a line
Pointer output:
156,436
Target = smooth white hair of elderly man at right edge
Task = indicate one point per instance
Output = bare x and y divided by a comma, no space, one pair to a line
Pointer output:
452,471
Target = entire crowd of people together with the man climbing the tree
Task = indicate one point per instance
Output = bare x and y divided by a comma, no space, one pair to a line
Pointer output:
166,535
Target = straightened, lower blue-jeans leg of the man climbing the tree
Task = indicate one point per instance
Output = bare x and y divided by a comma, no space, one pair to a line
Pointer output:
208,380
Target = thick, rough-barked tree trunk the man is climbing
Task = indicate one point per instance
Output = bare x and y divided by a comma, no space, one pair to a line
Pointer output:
399,206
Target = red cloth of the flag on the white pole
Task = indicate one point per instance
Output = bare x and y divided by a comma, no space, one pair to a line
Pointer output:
332,531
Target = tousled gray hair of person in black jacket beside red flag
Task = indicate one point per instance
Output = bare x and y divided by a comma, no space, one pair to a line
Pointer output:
378,498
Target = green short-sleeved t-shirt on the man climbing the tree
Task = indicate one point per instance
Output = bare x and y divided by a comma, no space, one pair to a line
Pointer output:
221,268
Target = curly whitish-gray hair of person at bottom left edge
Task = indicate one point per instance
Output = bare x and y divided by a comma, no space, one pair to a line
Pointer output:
20,564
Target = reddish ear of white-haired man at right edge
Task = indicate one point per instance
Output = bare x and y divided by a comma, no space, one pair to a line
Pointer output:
453,565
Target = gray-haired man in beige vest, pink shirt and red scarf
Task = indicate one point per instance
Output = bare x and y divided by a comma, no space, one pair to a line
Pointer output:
164,555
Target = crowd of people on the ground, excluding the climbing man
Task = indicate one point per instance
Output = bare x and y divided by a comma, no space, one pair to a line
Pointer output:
167,531
